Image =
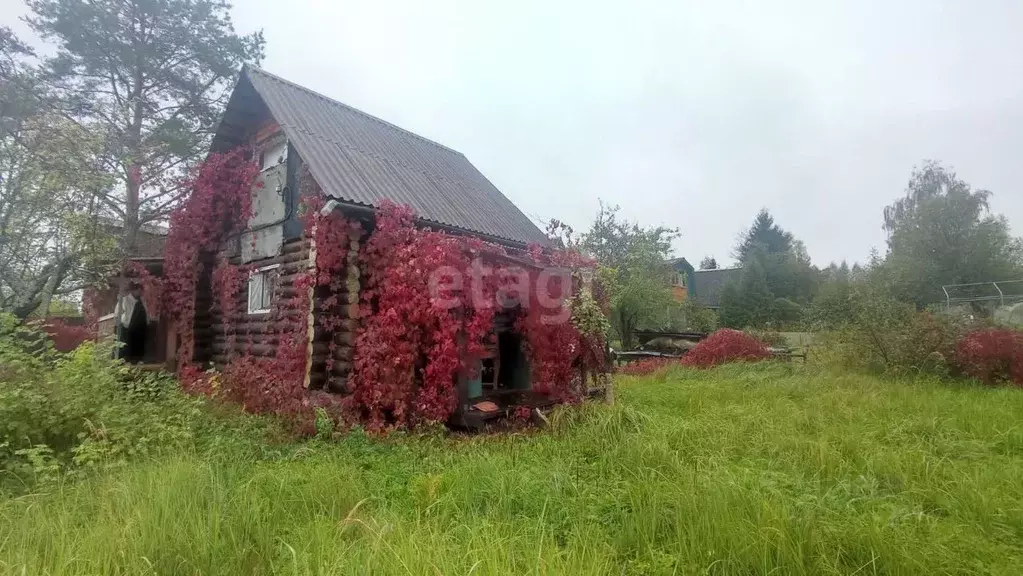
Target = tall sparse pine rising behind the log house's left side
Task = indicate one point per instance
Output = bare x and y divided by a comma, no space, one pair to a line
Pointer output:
151,79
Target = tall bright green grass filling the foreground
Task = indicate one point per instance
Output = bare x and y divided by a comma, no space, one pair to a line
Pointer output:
743,470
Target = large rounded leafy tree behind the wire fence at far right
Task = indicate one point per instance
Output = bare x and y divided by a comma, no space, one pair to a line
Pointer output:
942,233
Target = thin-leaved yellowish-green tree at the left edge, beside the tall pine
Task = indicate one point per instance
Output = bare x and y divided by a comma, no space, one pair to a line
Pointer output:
49,178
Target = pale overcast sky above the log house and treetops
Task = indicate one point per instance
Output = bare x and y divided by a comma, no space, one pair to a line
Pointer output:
687,114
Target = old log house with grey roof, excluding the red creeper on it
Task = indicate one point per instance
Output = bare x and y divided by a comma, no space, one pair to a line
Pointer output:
308,148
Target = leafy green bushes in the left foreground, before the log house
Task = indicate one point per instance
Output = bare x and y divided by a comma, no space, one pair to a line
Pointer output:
72,414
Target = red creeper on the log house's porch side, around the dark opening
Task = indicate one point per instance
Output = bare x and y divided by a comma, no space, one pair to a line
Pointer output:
422,330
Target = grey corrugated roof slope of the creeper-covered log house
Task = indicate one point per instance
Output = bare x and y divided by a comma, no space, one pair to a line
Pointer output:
363,160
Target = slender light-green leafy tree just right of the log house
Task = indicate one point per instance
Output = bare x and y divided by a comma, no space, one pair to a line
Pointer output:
635,260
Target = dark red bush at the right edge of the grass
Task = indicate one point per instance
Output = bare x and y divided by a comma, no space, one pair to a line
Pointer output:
994,356
